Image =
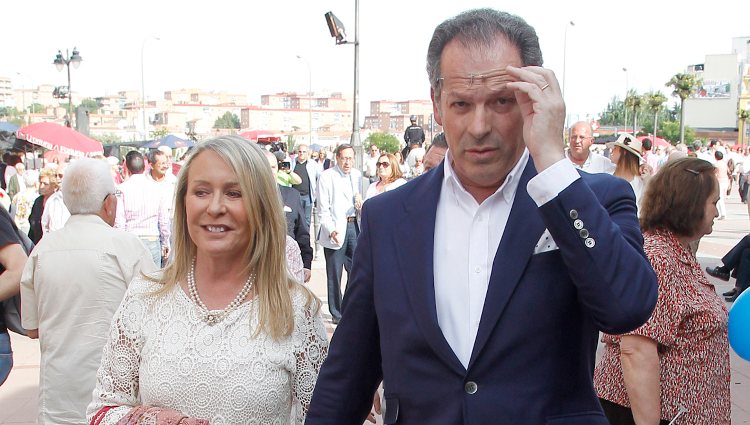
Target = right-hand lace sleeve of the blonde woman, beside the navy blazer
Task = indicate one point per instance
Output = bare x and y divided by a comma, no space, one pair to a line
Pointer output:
310,350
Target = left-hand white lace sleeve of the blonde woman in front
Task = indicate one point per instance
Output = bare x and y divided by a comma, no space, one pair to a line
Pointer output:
117,377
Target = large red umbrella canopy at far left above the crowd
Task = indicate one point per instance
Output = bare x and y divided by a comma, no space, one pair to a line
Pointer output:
62,139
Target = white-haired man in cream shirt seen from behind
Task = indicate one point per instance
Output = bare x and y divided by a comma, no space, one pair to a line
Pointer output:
71,286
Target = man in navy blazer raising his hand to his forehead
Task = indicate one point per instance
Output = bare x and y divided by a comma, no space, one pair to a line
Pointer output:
478,290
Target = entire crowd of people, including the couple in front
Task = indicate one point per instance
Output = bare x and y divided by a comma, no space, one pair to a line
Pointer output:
481,270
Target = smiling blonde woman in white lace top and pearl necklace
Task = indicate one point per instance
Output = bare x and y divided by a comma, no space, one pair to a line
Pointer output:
224,334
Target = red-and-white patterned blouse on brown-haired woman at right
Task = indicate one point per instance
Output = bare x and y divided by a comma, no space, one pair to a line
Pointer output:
689,325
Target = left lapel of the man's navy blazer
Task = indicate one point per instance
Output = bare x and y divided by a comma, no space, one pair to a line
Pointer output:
418,271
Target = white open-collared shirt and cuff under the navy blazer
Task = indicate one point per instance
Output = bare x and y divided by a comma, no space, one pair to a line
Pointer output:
467,237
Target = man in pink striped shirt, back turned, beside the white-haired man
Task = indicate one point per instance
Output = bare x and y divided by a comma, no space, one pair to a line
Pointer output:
143,209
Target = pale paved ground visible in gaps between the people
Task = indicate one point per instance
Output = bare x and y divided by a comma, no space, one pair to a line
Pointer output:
18,396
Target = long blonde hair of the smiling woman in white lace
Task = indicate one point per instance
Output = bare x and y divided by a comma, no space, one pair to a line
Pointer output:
266,252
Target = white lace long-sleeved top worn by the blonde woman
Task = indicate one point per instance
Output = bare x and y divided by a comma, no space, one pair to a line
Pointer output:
161,353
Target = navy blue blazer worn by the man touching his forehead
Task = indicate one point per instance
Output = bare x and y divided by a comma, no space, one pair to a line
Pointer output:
533,358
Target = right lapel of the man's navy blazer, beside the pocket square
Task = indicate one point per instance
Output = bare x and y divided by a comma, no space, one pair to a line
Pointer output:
516,247
